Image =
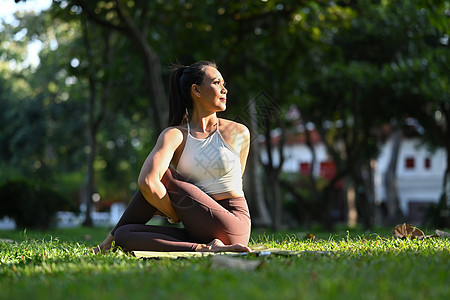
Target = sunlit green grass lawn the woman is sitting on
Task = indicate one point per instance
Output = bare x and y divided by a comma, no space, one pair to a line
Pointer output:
360,266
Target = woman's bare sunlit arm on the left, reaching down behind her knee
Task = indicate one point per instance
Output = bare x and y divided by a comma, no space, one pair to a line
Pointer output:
155,166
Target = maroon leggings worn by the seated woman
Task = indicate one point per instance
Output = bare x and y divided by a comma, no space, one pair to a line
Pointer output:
204,220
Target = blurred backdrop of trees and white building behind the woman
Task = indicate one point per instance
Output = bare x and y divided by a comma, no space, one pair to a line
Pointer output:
347,102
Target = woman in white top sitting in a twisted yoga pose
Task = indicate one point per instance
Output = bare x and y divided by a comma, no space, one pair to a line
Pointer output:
193,174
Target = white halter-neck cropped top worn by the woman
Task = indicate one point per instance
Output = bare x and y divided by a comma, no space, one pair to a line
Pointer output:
211,164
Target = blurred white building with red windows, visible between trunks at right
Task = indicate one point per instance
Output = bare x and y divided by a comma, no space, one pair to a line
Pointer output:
419,171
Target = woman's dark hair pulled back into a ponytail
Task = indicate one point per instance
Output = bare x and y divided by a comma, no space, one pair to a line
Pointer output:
181,81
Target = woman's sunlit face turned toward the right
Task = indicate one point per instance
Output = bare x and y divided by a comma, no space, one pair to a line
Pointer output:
212,92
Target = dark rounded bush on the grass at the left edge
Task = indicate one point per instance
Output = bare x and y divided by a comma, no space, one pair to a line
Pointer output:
31,205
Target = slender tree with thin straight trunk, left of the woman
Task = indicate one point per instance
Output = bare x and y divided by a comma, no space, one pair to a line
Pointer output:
100,85
